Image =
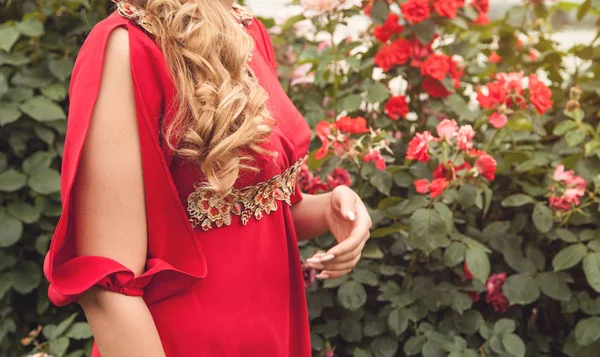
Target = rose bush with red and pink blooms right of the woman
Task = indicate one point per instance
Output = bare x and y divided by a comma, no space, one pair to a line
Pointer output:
475,144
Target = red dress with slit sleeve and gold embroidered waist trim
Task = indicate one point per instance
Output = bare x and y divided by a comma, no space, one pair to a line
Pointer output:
222,279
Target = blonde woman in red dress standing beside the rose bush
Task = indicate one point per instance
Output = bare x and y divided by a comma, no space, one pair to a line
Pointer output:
181,212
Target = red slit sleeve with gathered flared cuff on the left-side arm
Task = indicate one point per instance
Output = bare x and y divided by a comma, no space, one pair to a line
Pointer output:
175,259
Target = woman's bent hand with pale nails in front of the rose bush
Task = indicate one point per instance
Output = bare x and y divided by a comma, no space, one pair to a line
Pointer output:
349,222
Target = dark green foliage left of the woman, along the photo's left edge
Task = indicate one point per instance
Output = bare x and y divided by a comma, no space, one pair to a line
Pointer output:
38,44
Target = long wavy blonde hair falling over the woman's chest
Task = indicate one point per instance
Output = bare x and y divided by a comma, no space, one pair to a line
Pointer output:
221,107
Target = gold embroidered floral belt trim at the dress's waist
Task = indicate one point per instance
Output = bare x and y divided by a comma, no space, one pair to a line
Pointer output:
206,208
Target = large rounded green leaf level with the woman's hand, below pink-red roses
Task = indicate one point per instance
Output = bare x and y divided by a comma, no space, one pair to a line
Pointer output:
427,230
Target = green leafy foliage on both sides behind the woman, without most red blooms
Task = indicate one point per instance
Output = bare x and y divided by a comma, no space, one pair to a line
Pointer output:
410,294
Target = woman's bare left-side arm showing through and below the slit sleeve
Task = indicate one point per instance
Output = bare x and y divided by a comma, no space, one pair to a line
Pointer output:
109,209
